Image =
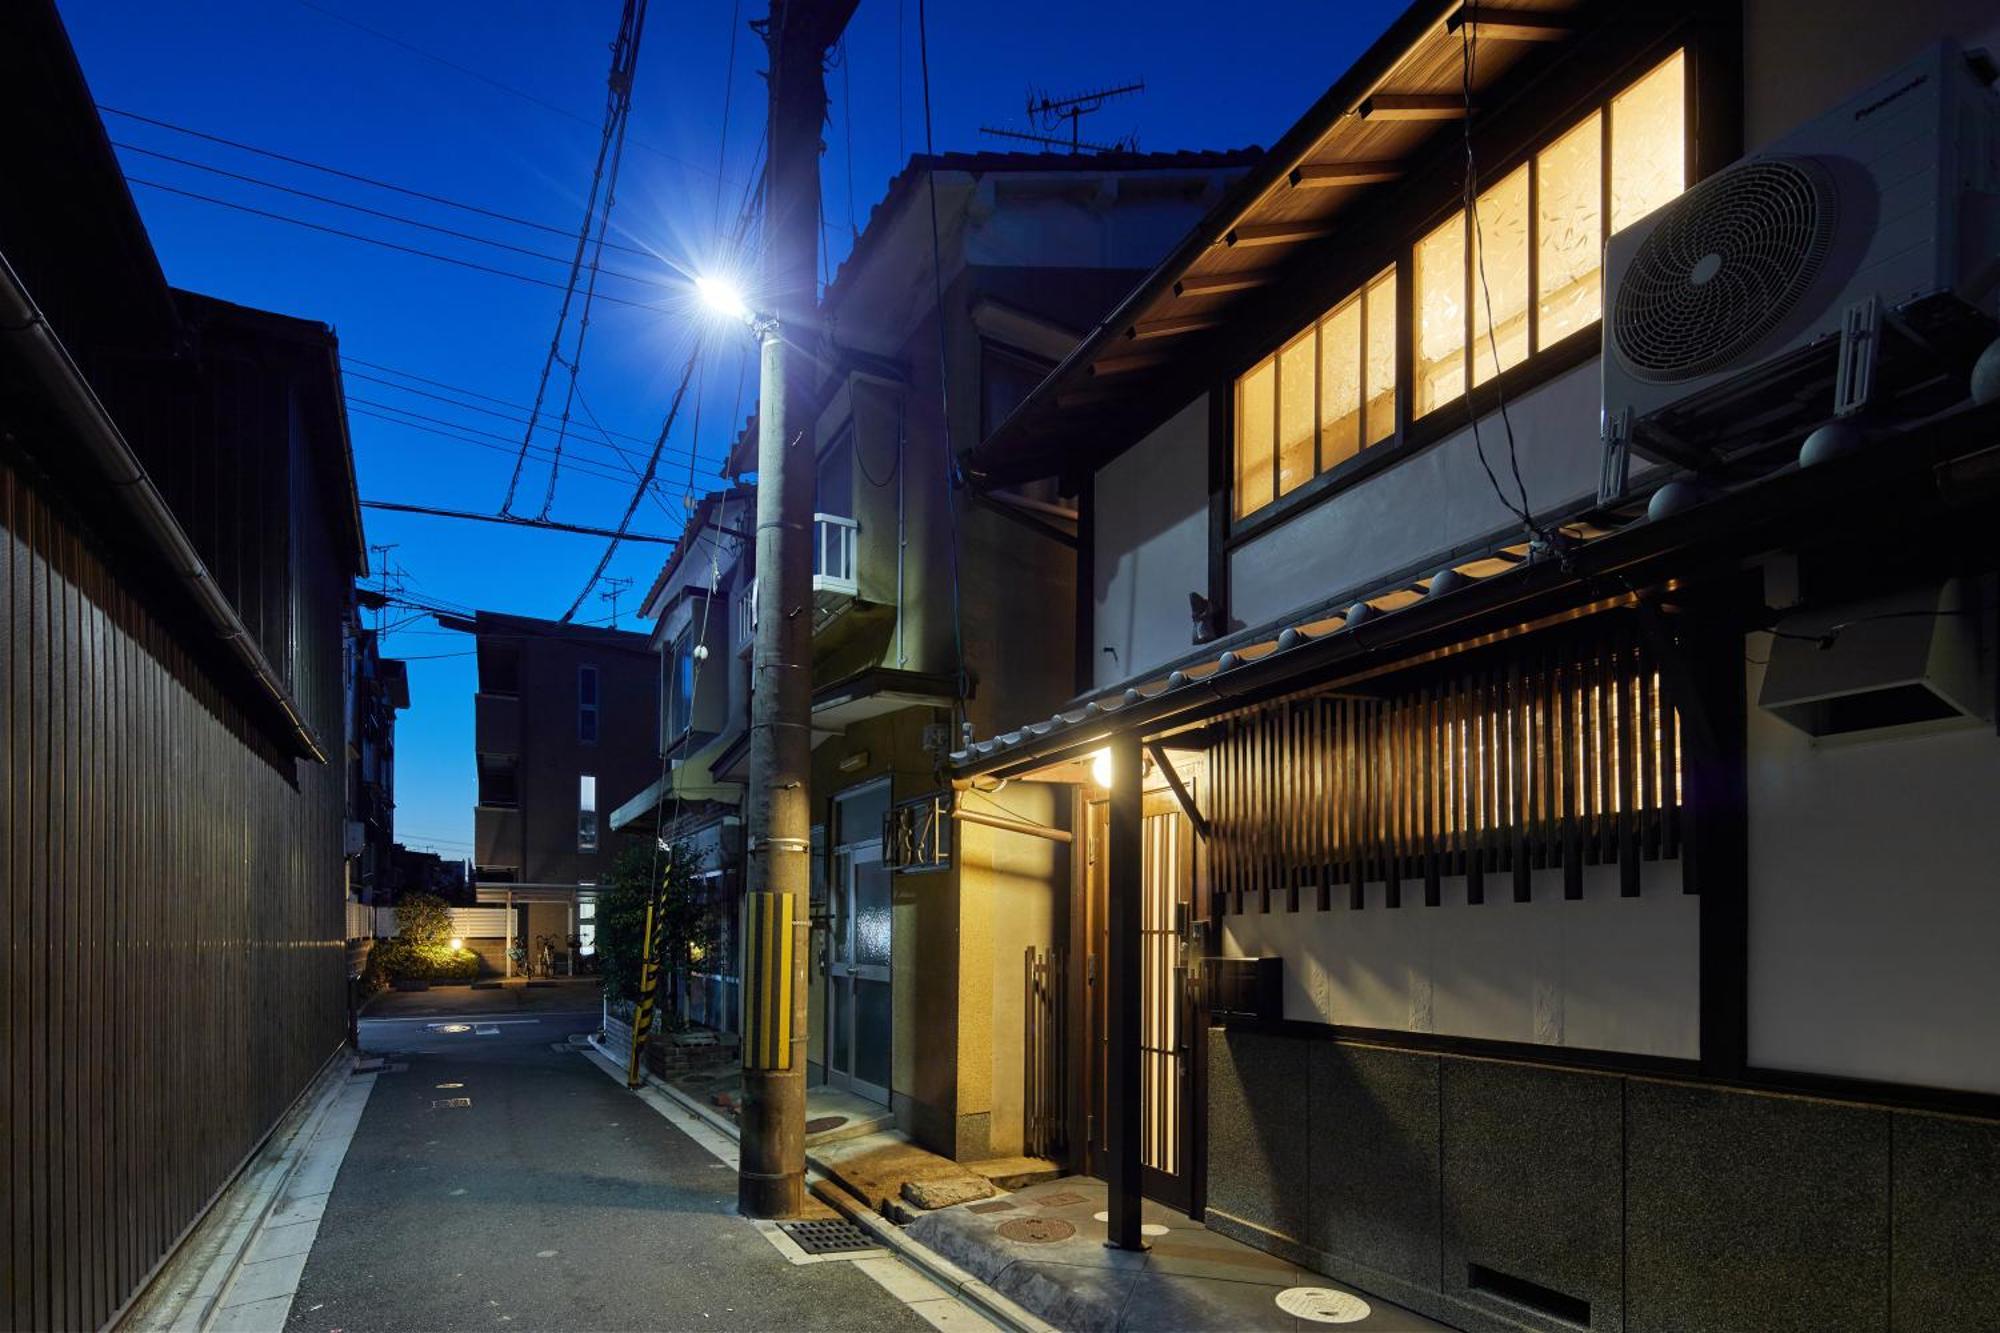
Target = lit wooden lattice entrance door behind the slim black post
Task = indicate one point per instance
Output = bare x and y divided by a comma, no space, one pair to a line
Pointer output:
1167,1112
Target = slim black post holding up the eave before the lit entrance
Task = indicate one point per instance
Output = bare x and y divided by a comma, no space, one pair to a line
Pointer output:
1125,850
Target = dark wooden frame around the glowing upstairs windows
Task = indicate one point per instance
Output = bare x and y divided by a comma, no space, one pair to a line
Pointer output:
1515,137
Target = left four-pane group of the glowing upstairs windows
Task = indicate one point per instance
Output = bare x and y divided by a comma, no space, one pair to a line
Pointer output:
1321,399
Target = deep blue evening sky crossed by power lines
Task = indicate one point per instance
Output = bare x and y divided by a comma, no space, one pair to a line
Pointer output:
295,77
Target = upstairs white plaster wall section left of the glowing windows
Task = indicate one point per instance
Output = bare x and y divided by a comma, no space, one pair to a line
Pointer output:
1151,545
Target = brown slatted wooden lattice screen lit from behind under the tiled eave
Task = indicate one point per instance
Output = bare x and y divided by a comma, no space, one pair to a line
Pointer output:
1549,752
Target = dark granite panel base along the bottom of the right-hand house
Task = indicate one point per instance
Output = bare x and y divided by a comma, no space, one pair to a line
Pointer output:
1441,1182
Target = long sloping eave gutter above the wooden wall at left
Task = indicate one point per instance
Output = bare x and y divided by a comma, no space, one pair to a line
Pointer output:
51,363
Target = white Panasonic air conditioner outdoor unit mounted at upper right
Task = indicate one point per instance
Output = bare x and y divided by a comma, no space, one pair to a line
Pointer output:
1845,263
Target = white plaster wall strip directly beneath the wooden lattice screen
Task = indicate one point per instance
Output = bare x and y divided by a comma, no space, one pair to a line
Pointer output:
1603,974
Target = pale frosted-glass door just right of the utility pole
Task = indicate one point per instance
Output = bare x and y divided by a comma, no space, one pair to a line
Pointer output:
859,1030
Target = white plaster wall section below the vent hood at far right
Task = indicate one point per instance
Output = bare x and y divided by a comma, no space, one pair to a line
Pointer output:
1875,904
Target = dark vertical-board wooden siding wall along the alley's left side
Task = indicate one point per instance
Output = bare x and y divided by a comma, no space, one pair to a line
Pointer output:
171,912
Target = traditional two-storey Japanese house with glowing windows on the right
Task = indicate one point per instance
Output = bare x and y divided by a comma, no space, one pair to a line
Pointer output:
1535,720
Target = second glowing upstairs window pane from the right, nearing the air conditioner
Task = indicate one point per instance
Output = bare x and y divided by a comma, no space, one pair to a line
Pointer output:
1569,181
